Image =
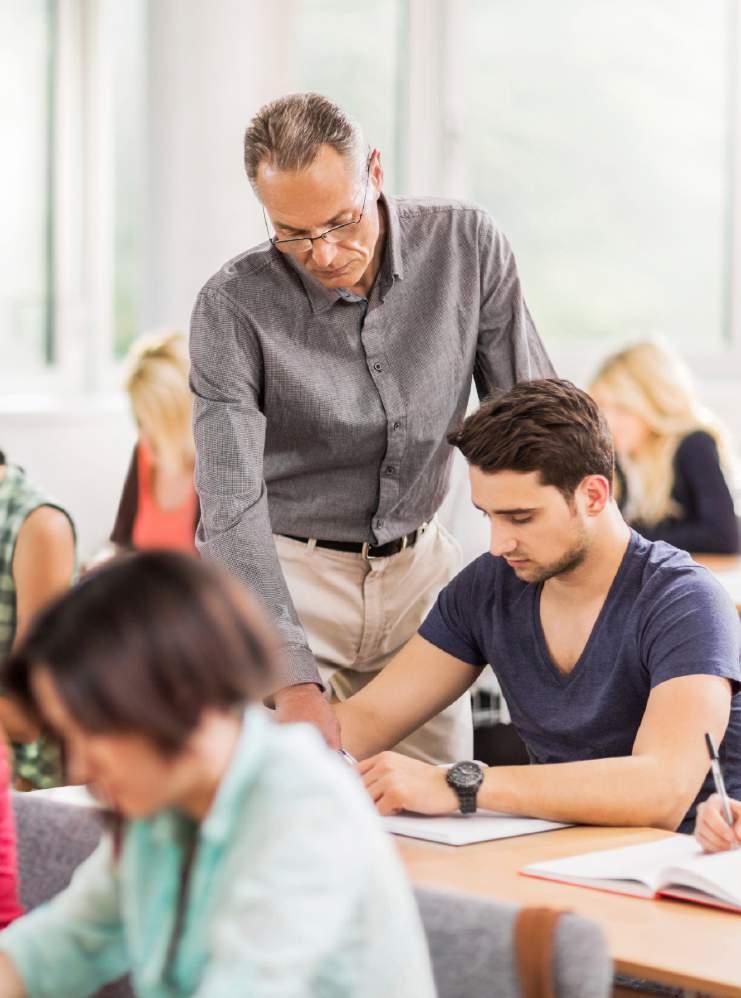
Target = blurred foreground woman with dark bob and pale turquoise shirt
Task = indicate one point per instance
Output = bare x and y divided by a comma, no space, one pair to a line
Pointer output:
245,858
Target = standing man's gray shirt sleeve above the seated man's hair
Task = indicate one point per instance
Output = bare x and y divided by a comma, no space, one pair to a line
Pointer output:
509,348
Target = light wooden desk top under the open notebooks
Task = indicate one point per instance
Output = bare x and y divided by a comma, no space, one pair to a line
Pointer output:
685,945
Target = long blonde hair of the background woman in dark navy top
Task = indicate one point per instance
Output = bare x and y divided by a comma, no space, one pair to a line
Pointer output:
653,382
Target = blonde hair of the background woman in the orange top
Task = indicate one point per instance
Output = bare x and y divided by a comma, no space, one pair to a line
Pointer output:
157,384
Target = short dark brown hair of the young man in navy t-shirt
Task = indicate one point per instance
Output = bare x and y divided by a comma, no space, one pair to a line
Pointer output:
550,426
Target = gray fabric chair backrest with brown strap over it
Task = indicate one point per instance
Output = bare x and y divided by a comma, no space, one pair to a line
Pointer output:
471,943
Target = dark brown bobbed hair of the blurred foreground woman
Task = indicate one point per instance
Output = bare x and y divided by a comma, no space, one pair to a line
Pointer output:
144,644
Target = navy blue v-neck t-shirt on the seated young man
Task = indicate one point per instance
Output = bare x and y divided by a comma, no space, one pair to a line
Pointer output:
664,616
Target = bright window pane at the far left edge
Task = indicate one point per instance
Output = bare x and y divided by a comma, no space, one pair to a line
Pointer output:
27,58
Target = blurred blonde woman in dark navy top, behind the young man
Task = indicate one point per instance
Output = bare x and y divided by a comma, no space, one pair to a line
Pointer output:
674,462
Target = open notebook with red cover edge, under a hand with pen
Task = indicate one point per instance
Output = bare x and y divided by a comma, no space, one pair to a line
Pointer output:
672,867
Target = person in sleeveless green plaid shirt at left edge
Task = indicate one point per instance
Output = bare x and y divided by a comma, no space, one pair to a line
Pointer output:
37,562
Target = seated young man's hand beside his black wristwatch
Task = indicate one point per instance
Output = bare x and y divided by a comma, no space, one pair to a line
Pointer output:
397,783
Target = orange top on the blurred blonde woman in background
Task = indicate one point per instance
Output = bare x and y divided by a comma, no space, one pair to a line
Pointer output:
155,527
